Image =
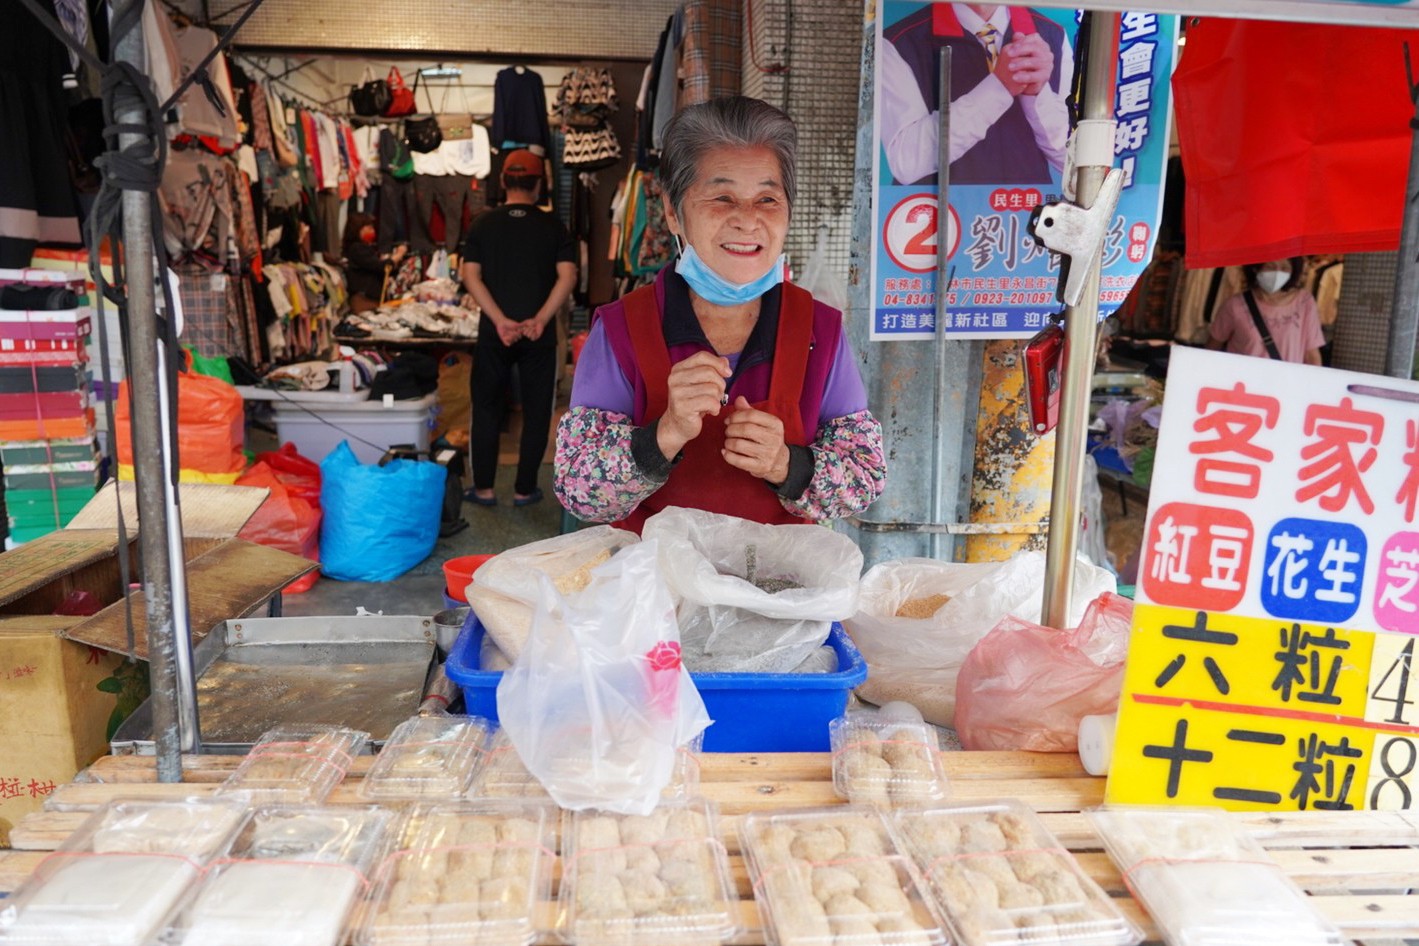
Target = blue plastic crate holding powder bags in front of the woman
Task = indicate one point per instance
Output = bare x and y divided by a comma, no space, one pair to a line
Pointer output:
753,713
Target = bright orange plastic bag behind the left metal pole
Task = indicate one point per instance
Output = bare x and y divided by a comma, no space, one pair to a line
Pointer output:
211,425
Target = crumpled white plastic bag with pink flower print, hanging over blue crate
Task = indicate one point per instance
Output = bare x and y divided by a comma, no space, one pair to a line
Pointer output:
598,703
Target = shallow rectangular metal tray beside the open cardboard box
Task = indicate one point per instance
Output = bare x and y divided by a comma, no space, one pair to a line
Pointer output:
364,673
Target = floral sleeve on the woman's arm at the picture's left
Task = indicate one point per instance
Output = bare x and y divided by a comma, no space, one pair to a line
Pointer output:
597,476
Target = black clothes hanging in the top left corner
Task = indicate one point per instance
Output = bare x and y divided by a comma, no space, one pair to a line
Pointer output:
36,198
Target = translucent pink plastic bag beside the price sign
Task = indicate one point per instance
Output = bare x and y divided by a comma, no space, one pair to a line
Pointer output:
1027,687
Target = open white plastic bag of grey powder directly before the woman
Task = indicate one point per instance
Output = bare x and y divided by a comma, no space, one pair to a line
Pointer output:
754,598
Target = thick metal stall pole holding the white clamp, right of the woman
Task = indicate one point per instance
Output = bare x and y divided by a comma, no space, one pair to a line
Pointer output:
1095,157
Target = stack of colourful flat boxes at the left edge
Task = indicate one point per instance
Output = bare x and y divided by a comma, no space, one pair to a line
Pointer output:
49,450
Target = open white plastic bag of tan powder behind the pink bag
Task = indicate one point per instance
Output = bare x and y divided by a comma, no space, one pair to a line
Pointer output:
917,660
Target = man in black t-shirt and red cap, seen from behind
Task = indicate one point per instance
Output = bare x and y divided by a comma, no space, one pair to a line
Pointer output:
520,269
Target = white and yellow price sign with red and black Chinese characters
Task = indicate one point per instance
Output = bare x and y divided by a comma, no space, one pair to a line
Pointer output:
1272,660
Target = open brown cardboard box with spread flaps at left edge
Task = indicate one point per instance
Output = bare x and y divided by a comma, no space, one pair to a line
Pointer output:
69,681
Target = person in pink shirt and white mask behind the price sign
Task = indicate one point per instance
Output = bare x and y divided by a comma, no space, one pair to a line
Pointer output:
1274,318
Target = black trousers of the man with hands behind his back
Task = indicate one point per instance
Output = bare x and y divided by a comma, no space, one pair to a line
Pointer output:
492,372
